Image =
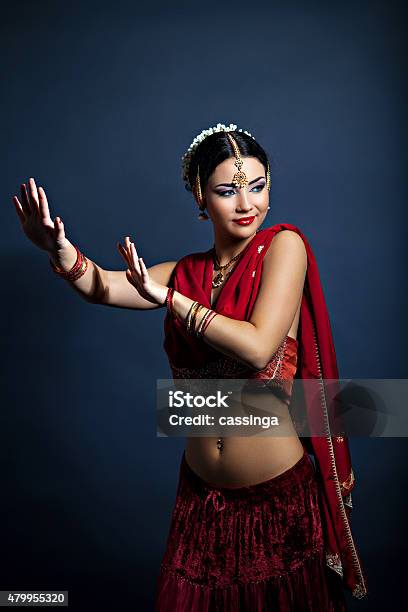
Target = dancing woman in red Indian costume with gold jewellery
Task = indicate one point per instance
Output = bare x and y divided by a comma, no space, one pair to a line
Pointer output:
256,525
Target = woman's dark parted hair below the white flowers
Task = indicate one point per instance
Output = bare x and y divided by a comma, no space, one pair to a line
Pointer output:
215,149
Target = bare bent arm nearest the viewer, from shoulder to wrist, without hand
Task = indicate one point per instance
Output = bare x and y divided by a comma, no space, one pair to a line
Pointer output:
255,341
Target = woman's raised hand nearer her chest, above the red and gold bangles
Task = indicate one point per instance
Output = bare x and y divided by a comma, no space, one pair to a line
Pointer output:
138,276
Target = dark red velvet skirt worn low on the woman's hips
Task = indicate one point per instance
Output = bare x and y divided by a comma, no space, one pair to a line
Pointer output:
254,548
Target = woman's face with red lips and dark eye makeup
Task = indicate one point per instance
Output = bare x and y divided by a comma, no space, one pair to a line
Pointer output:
225,203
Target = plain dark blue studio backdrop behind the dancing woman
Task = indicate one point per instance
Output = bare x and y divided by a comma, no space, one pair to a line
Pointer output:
99,102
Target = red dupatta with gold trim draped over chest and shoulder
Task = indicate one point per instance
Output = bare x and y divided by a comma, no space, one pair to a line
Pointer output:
192,277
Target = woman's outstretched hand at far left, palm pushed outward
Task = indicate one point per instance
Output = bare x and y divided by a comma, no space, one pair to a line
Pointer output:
36,222
